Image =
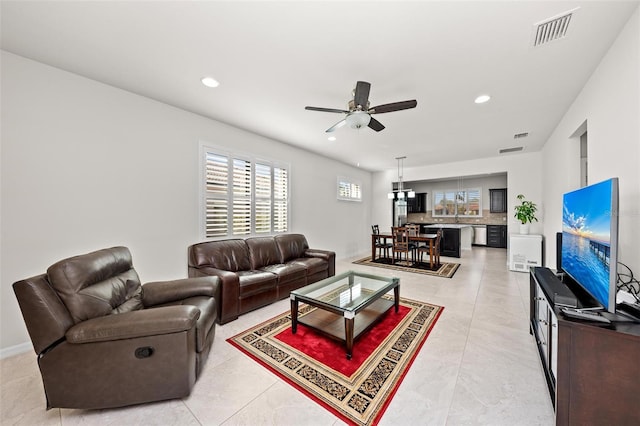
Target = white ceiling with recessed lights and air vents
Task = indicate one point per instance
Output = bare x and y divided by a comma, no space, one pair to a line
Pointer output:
274,58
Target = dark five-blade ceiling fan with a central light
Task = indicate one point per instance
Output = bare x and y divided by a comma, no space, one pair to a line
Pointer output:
359,113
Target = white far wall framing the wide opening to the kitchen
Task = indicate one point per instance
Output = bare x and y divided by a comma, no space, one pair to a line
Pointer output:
523,177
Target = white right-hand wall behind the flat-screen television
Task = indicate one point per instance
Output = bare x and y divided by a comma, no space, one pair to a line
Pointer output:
610,105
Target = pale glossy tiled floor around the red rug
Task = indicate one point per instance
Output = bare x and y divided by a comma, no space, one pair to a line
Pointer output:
479,366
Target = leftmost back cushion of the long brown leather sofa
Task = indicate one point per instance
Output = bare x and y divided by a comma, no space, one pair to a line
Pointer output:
229,255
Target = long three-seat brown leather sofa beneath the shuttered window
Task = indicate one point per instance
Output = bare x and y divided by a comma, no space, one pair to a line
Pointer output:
255,272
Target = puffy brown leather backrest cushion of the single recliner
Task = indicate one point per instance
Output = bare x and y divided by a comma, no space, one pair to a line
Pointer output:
97,284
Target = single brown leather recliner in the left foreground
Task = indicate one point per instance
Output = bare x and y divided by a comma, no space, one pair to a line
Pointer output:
104,340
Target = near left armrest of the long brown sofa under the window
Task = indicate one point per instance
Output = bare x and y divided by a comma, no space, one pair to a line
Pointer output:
228,300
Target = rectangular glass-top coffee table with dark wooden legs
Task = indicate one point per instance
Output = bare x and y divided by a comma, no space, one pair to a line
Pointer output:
348,305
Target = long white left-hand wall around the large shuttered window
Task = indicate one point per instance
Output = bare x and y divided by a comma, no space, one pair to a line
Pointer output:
87,166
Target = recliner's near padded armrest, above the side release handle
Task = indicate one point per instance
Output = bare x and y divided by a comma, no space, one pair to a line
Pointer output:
129,325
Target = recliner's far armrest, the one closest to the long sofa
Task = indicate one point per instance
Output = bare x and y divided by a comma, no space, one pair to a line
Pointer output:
160,292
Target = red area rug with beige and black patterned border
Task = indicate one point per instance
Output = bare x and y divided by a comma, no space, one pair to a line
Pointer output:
357,390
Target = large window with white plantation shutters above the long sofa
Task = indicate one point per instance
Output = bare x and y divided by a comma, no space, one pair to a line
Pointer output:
243,196
